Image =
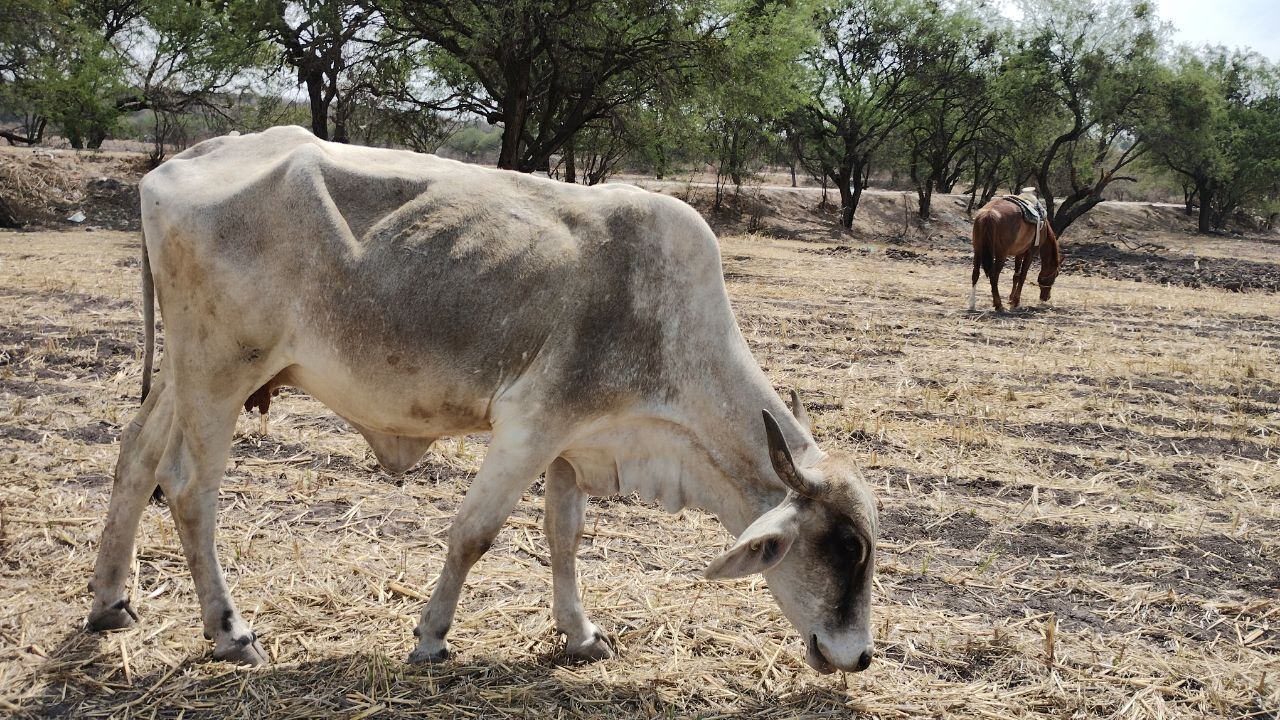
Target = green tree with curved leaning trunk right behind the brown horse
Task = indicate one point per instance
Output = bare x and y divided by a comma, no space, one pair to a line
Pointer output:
1081,81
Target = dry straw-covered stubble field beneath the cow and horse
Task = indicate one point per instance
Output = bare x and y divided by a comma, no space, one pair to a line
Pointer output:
1081,518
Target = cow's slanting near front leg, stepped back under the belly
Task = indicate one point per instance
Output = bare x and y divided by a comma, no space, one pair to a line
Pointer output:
513,463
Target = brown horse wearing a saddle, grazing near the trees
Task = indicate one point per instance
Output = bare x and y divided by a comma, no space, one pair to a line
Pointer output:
1002,233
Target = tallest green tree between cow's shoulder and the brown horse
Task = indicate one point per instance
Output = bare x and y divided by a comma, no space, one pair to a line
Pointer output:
862,88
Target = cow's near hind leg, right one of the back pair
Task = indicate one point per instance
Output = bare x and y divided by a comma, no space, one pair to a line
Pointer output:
190,475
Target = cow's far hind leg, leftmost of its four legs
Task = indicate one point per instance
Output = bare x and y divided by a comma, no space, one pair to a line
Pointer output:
141,445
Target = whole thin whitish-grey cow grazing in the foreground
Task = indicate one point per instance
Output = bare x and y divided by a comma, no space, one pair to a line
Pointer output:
587,330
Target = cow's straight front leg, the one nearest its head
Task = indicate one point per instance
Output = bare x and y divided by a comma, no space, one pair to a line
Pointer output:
566,507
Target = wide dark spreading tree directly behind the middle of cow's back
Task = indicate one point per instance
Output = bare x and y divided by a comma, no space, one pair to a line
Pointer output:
546,70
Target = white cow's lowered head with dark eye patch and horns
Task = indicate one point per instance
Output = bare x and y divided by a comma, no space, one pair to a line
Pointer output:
817,549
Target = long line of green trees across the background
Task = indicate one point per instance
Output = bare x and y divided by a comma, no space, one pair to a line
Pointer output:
1078,98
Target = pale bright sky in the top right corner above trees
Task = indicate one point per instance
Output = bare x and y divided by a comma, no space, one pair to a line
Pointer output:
1235,24
